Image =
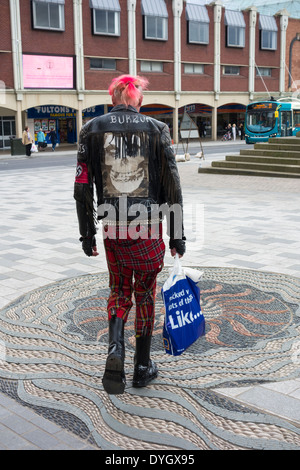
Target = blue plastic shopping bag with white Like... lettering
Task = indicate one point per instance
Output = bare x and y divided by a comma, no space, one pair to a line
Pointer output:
184,322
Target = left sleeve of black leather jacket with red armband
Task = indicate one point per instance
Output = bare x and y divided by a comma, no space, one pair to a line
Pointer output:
83,189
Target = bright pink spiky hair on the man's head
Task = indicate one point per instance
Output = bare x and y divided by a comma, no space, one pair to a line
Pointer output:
128,89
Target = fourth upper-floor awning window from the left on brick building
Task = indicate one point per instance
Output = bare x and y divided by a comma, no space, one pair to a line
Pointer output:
198,23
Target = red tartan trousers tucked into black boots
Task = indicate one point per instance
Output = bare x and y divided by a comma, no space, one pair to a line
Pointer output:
133,267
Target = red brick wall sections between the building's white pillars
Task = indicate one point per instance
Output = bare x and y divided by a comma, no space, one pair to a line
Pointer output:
52,42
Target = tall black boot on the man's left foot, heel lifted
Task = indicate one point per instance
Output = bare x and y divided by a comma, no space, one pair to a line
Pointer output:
114,376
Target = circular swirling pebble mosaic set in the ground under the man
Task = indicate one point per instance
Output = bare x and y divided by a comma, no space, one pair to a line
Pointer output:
54,345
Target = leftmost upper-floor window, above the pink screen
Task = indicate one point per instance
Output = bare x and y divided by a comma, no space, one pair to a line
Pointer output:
49,14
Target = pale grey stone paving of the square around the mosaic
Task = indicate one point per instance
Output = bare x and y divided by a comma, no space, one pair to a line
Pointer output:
246,222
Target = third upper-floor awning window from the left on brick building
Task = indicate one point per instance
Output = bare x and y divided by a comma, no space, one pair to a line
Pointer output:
155,20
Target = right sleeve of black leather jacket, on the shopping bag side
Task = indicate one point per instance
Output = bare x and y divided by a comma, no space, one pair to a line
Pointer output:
172,187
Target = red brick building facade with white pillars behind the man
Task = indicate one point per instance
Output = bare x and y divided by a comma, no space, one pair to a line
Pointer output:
58,57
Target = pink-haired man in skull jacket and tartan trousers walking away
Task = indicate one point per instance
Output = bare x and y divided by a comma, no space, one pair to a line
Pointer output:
130,159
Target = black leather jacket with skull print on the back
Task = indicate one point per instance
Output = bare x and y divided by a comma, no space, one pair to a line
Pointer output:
129,156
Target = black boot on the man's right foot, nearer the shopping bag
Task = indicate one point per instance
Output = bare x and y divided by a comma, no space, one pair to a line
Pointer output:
145,369
